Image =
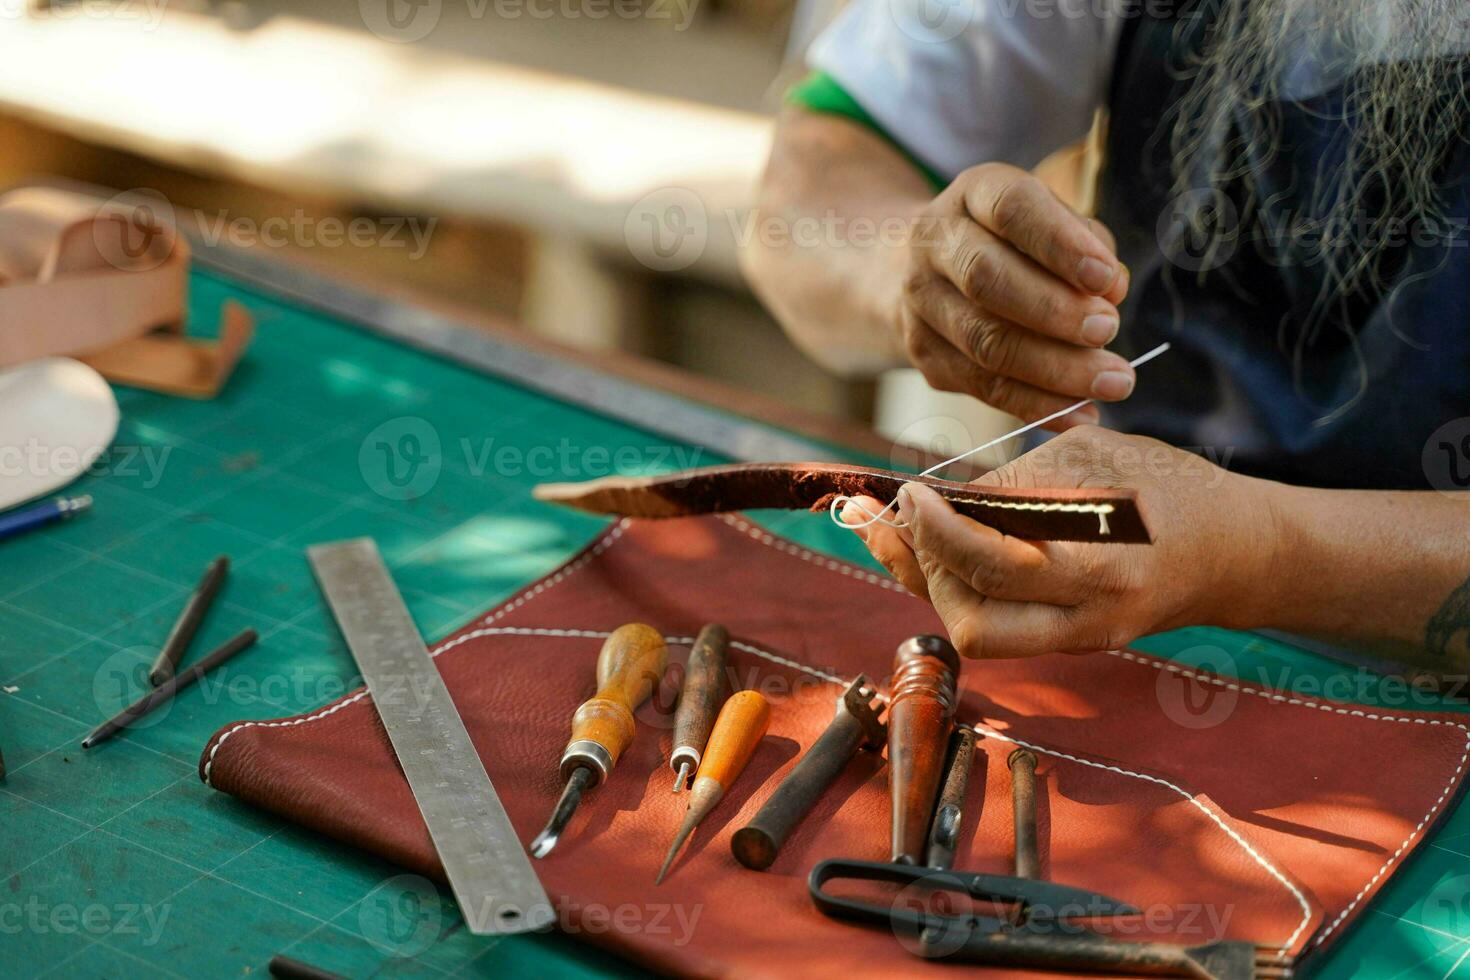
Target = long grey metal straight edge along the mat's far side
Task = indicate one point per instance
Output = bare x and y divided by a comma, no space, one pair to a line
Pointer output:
678,419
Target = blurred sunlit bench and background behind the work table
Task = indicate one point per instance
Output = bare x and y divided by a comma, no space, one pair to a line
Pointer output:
512,156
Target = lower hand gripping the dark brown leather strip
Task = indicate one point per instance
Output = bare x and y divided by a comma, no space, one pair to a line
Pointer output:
1215,546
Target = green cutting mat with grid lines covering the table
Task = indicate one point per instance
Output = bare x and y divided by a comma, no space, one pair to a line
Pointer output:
120,863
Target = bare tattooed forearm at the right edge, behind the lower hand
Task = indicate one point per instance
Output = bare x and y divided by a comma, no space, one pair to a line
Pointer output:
1381,571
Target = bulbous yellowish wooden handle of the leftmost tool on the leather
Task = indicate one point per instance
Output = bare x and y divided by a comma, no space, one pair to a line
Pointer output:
631,663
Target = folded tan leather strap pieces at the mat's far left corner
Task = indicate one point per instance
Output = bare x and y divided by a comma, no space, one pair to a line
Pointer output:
107,283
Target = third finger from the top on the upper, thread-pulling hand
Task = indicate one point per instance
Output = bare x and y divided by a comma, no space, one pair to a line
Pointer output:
1015,352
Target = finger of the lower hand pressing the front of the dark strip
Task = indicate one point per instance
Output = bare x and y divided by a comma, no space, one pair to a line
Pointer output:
990,563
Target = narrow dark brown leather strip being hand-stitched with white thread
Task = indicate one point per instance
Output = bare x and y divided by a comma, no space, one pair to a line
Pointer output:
1056,515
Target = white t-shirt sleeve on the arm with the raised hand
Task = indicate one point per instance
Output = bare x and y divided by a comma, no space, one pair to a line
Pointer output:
961,83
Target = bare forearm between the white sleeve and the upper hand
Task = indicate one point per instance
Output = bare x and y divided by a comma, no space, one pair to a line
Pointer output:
825,251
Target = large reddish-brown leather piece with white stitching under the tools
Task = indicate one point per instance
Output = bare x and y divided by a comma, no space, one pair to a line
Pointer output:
1215,807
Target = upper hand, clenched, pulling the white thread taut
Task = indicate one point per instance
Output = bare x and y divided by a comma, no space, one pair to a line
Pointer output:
1011,298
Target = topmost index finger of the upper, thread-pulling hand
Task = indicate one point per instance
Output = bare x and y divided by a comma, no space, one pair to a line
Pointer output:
1022,209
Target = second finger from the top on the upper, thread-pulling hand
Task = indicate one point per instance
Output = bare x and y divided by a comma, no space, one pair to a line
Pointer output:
1005,281
